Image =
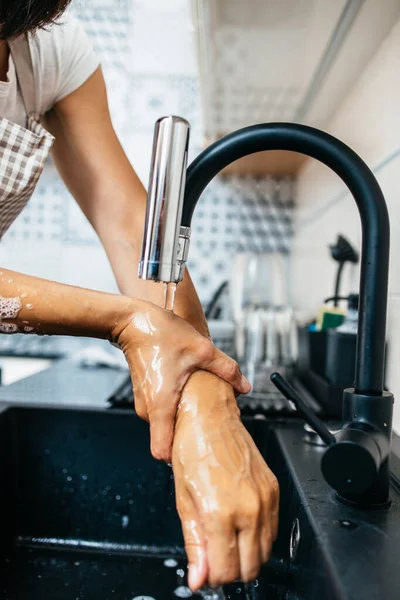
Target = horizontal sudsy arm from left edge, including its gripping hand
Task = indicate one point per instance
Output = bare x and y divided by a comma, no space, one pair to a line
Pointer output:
162,349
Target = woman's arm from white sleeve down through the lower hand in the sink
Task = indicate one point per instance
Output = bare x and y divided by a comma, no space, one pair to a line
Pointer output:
229,542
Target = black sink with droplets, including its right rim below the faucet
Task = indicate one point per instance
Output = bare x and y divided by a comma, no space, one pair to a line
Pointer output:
87,513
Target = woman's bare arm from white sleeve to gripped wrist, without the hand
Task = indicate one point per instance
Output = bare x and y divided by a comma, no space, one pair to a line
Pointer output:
97,172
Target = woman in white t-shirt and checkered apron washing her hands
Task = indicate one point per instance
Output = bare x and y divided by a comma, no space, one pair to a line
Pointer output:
53,97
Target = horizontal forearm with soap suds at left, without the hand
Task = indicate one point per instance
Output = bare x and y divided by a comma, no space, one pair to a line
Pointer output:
32,305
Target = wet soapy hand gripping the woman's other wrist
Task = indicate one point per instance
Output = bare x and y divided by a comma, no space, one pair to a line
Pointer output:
162,351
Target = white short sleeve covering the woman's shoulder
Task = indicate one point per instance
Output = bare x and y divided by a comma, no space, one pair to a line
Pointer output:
63,59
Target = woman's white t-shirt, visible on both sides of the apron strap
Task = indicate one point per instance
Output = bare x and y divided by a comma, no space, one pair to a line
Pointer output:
63,59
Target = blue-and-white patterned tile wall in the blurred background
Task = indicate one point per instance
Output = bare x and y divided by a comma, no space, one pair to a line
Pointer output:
147,55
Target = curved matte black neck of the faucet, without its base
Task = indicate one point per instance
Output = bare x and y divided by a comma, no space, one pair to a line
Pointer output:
371,205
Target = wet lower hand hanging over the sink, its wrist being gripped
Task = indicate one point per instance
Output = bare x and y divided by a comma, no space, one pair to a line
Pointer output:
227,497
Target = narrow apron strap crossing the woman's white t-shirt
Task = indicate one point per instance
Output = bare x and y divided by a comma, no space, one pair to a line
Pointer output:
21,54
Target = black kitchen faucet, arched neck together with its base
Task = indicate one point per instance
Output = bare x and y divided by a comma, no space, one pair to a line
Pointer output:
356,463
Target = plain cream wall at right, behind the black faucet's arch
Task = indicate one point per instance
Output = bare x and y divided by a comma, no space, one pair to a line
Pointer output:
369,121
